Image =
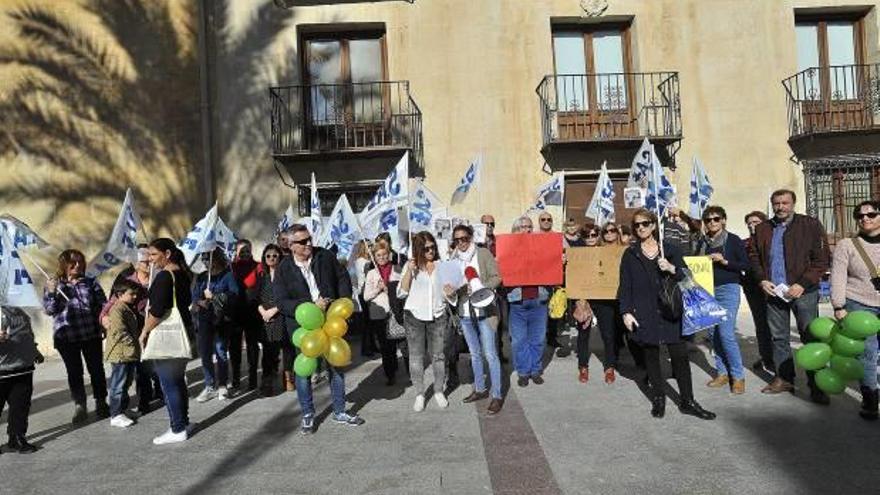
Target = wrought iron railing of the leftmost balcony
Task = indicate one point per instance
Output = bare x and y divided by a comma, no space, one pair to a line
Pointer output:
321,118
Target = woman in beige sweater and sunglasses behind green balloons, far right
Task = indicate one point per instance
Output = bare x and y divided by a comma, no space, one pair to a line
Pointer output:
855,286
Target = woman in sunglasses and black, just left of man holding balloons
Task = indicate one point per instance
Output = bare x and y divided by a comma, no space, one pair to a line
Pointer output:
273,337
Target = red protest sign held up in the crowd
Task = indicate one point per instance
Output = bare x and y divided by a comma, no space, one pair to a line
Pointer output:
529,259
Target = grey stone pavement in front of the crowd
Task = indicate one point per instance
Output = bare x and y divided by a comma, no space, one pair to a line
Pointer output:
561,437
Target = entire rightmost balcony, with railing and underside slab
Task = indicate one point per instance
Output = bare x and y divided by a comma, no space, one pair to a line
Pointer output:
834,110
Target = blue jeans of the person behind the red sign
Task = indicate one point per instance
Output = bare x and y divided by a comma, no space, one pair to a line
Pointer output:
528,328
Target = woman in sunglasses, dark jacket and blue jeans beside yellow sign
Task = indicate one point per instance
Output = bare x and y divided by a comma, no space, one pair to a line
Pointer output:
729,260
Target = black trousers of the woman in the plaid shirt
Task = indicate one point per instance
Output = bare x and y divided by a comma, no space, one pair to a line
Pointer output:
73,354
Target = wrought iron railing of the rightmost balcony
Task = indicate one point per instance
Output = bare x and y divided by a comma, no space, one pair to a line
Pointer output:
833,99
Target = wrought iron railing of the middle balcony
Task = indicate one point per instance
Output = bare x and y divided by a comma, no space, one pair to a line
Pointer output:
610,106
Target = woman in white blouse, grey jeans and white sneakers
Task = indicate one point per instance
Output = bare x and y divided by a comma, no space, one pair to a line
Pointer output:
424,317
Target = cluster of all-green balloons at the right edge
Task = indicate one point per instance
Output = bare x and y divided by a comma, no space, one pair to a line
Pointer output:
834,357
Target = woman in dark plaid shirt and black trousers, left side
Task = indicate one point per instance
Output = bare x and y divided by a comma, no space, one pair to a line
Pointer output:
74,302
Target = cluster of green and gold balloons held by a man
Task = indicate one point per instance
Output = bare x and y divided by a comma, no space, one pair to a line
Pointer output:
321,334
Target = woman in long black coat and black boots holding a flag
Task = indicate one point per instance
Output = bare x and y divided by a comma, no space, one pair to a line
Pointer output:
642,271
